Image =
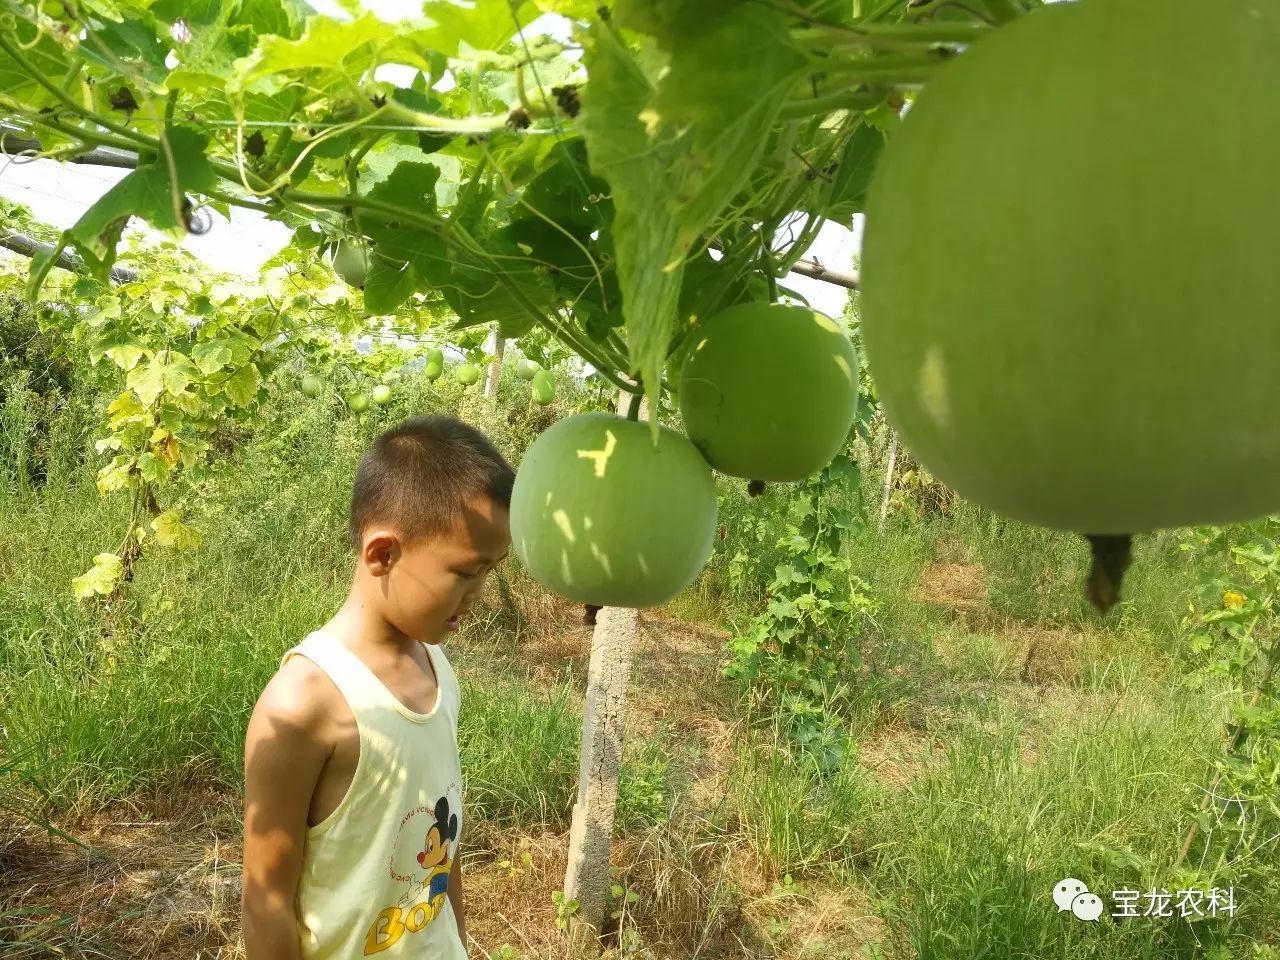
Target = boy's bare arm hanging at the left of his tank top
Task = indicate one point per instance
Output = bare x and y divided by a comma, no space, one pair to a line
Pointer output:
284,757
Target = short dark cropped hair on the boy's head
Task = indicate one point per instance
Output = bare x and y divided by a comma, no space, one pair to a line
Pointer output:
419,476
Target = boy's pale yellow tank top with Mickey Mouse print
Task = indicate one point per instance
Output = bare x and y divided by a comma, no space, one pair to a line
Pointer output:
376,871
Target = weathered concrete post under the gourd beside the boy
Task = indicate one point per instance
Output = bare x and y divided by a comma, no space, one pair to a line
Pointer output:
587,877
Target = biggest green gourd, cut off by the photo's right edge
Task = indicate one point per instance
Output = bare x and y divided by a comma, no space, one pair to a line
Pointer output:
1071,280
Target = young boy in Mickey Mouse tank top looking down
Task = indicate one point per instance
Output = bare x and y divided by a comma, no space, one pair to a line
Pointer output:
353,781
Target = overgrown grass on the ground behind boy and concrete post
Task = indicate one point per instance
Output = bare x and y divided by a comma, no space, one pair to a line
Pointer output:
1000,735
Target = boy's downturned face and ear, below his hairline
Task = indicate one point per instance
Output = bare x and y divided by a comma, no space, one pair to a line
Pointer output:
427,588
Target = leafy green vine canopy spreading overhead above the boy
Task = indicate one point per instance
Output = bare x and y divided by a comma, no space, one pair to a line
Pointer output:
574,186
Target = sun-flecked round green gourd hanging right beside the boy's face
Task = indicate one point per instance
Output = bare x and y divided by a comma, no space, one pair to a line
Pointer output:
602,515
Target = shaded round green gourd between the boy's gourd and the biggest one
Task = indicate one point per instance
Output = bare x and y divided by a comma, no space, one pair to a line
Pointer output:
769,392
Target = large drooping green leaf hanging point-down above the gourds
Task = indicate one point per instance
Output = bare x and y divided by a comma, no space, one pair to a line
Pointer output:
678,150
